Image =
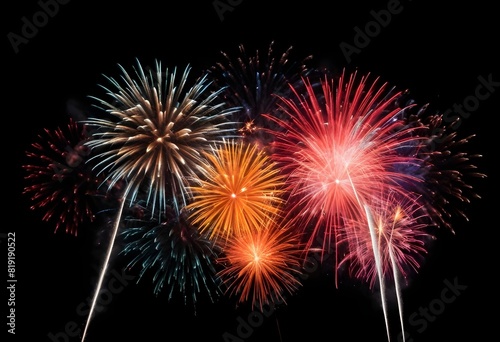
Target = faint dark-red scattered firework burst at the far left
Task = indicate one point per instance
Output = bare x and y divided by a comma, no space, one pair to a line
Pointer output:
60,181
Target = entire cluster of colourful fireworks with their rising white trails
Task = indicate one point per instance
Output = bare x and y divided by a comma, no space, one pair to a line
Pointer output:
228,180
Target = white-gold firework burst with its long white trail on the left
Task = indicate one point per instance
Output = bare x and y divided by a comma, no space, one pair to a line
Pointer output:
158,136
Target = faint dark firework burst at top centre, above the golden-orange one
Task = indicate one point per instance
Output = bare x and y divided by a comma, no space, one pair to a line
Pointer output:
252,84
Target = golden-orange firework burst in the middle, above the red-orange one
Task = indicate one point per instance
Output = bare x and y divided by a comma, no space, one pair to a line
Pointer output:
240,193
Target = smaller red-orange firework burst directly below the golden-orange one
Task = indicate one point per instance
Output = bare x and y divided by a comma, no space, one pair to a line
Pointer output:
263,265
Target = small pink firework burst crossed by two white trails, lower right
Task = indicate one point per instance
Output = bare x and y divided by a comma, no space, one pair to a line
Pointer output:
401,232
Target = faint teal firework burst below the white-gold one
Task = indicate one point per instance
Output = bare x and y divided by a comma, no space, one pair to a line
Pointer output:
180,258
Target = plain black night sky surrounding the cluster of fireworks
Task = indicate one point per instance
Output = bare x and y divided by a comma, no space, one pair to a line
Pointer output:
436,51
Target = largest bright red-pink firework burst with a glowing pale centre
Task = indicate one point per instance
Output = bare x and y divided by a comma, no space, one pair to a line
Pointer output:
340,146
